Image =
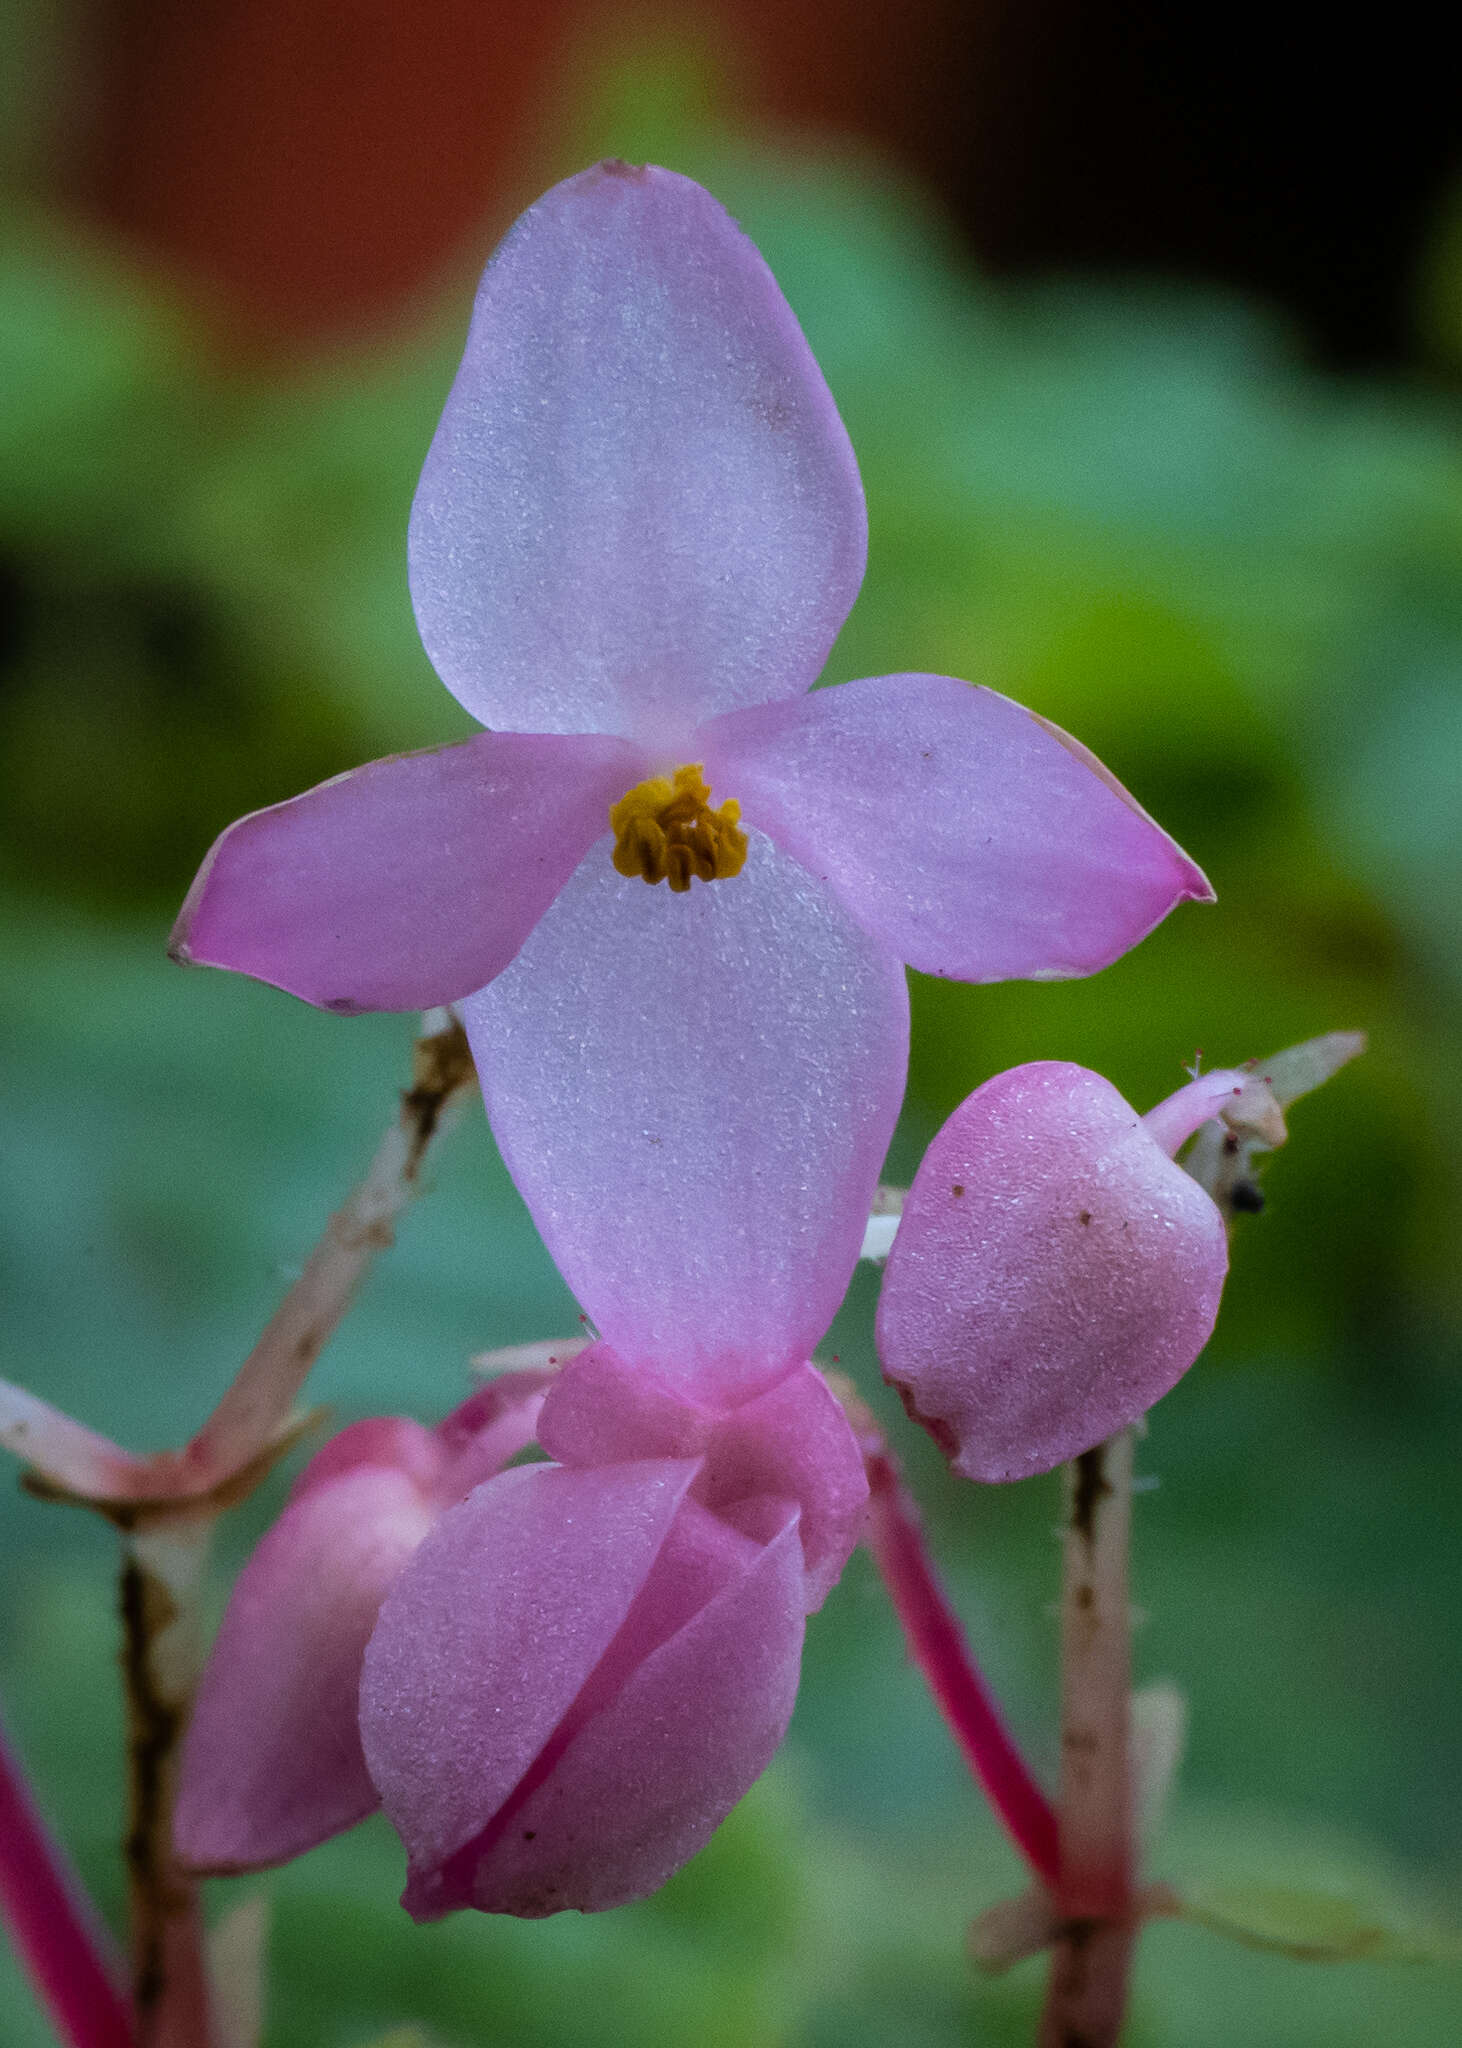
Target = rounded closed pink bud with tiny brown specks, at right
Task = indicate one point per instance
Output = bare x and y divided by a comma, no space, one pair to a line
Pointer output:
1051,1279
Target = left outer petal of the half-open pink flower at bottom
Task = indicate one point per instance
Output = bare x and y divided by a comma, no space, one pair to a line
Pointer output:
492,1631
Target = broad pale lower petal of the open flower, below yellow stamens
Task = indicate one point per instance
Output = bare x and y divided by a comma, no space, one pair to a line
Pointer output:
695,1095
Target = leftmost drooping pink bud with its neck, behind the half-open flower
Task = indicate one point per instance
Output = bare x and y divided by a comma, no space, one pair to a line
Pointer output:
273,1760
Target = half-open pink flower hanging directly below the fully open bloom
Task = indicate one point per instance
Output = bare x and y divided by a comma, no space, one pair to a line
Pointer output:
589,1662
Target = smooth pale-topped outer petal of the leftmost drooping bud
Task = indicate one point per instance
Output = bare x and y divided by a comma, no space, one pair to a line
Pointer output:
273,1758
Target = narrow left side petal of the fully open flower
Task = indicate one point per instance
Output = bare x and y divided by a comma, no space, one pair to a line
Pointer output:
411,882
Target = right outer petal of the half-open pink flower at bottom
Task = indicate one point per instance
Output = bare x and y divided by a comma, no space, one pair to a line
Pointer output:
646,1781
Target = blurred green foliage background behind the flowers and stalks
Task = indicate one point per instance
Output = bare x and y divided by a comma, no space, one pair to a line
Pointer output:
1133,509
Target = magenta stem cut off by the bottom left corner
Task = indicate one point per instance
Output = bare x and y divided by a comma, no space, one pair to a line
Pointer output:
52,1926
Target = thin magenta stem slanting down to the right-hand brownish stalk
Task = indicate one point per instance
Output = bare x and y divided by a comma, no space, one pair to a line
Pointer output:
941,1652
